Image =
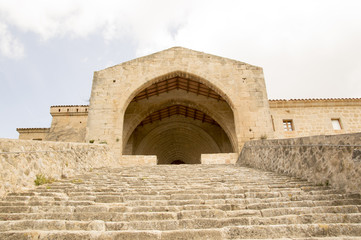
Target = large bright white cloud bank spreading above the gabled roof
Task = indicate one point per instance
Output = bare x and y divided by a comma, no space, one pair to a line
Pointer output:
301,43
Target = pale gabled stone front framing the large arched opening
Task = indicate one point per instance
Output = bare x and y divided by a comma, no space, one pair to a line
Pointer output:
241,85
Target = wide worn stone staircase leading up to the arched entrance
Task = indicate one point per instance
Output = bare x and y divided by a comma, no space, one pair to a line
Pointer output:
180,202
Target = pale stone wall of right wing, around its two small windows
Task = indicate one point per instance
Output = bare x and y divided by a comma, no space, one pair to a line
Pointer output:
313,116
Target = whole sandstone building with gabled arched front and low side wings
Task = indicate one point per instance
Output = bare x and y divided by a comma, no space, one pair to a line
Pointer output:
178,104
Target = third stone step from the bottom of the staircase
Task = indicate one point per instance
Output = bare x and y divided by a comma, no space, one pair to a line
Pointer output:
103,213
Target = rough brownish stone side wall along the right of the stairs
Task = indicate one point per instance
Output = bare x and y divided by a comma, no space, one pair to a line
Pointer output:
327,160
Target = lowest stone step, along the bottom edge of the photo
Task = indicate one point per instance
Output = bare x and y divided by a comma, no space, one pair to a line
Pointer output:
237,232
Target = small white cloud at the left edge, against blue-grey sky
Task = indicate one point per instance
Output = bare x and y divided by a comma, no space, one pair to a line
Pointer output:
9,45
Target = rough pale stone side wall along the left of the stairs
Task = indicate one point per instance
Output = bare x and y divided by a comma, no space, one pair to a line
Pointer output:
22,160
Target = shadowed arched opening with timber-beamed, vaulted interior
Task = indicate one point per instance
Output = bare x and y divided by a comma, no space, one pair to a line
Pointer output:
178,118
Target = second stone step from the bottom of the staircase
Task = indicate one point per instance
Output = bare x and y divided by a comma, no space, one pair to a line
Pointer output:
198,223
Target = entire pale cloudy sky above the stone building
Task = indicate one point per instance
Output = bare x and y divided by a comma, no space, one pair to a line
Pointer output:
50,49
